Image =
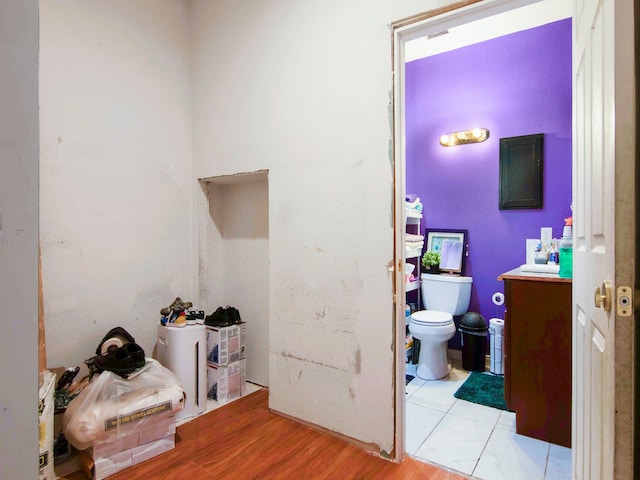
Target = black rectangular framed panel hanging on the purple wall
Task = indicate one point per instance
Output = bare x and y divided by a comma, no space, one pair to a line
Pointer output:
521,172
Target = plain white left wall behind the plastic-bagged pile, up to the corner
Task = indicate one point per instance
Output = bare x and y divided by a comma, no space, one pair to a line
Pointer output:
117,186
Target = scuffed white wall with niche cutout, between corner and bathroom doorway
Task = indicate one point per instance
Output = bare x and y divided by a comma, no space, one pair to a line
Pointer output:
303,89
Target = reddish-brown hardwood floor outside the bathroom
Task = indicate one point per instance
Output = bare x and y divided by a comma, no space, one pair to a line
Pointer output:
243,440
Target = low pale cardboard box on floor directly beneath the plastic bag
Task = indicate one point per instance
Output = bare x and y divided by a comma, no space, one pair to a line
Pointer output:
102,467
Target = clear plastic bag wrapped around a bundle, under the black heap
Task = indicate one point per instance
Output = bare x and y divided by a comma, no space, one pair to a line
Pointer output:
111,407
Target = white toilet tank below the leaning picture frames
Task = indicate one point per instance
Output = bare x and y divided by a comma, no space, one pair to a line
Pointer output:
446,293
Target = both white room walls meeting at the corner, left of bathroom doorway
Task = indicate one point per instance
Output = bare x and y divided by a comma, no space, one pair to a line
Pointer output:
302,89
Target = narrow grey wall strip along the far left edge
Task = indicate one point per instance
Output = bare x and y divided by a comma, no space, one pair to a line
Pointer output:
19,238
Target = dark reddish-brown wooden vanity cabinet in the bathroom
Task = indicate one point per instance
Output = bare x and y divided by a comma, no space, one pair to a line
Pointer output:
537,364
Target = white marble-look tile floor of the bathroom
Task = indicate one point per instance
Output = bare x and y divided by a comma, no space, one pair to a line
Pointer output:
473,439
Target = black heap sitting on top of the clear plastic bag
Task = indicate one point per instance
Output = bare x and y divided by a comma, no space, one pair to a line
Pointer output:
118,352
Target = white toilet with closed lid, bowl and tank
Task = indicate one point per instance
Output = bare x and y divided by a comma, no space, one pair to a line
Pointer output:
443,297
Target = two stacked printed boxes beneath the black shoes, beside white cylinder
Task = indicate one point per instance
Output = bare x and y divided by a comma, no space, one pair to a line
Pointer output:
226,362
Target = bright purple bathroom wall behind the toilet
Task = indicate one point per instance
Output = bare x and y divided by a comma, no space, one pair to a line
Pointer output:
518,84
